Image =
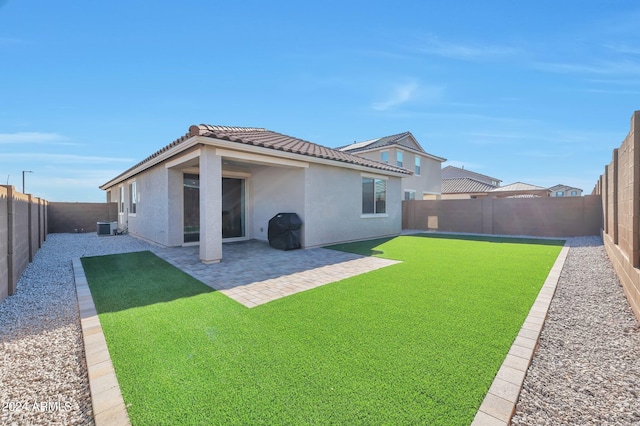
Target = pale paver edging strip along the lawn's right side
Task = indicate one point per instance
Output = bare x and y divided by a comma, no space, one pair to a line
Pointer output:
499,404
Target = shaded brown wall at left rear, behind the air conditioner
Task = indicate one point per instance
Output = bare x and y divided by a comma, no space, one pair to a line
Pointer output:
79,217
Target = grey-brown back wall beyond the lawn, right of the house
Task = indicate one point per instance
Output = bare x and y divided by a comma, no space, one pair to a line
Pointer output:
543,217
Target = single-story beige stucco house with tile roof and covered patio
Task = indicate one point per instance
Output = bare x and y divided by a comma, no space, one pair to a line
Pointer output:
217,184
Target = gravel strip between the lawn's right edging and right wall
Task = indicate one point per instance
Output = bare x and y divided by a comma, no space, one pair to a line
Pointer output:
586,370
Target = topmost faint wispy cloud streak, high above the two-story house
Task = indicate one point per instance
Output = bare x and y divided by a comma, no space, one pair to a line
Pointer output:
434,46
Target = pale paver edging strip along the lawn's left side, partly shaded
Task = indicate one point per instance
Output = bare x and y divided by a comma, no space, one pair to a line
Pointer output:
106,399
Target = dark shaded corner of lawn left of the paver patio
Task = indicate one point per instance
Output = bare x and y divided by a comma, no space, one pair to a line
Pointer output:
131,280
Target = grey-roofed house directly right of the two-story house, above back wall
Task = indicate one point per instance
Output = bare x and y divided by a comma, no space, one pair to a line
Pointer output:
459,183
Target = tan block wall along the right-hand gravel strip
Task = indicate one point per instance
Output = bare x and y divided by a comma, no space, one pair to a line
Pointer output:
619,187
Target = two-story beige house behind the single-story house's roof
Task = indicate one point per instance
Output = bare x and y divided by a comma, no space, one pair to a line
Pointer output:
403,150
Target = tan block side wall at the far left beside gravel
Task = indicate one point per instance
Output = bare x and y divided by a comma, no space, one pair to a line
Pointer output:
22,232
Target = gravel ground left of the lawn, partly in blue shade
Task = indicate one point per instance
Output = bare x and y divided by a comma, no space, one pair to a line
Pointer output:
43,377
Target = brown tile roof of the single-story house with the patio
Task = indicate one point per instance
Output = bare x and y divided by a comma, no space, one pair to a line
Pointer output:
260,137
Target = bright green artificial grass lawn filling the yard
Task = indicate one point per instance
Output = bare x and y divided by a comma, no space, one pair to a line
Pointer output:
414,343
